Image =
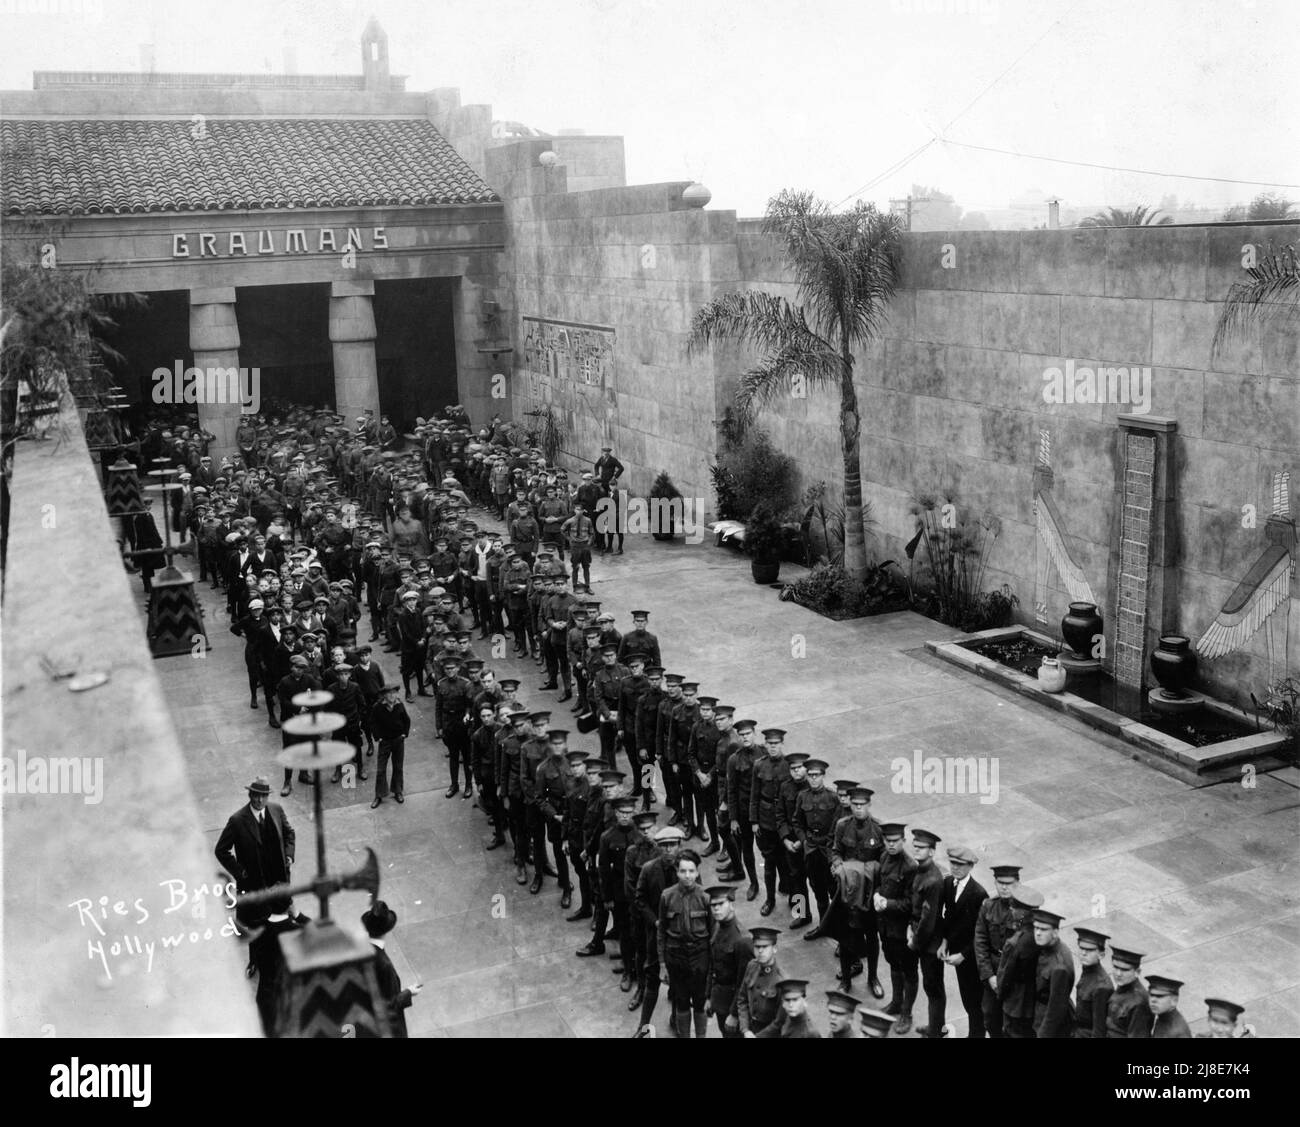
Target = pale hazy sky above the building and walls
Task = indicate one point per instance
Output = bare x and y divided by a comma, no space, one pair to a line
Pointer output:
753,96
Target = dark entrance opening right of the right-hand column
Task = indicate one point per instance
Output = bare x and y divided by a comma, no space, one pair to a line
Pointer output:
415,348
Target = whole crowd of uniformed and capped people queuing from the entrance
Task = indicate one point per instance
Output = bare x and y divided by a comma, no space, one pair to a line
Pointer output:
319,530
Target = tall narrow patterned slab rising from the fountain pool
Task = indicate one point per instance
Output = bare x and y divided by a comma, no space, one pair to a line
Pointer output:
1145,573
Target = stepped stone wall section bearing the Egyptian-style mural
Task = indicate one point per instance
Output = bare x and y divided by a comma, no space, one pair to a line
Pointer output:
621,272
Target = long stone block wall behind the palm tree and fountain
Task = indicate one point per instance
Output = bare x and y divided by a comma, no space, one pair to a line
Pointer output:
954,406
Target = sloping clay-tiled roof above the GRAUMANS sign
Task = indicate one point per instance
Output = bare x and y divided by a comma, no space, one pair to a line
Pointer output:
106,167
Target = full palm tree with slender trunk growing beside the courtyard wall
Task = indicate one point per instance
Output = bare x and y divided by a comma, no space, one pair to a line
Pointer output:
847,266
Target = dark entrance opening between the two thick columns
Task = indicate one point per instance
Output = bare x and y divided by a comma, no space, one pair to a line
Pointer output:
284,331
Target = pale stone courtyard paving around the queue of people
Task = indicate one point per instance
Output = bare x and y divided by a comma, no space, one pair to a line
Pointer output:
1204,879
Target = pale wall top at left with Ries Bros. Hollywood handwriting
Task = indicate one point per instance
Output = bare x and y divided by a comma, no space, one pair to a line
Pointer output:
99,970
